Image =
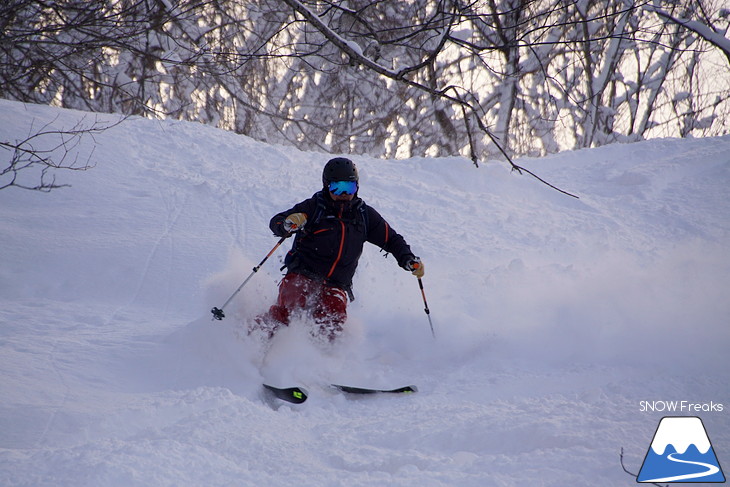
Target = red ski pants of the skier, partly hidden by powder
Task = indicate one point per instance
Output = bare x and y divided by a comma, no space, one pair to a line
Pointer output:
326,304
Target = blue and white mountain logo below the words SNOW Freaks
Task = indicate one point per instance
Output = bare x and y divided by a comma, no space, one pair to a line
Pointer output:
681,452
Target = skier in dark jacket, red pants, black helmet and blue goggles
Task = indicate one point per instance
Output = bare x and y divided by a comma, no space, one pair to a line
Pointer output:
329,230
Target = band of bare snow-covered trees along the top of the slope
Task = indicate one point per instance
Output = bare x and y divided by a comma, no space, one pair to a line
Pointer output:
485,79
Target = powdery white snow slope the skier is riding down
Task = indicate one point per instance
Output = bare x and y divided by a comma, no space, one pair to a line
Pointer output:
554,317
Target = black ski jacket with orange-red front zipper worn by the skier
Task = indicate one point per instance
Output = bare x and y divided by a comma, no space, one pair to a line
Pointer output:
330,245
